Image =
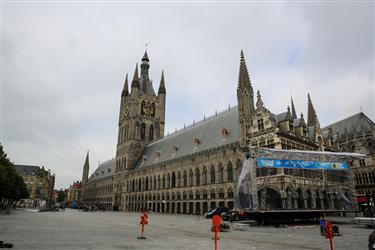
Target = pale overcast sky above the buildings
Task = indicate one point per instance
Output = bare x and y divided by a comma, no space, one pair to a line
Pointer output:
64,66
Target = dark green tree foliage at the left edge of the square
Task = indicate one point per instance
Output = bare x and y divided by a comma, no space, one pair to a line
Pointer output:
12,185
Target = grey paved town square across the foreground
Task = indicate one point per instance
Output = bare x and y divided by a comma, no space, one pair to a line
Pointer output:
115,230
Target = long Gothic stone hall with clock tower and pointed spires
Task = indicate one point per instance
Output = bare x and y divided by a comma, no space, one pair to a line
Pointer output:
195,169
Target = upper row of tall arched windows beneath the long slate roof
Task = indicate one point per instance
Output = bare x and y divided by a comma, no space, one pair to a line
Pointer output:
184,178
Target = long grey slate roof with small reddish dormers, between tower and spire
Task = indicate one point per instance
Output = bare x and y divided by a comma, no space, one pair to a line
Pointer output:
208,132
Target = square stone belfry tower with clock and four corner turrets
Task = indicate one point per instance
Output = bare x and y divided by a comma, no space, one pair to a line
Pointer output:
142,116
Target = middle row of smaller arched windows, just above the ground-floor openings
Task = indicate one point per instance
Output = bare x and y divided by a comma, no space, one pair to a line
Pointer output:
185,195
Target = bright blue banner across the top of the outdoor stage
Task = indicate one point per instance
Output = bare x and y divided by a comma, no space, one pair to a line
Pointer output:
274,163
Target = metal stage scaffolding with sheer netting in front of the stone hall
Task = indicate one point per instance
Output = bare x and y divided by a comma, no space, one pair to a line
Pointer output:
246,193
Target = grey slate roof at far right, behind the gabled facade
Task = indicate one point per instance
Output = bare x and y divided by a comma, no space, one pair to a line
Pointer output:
354,124
